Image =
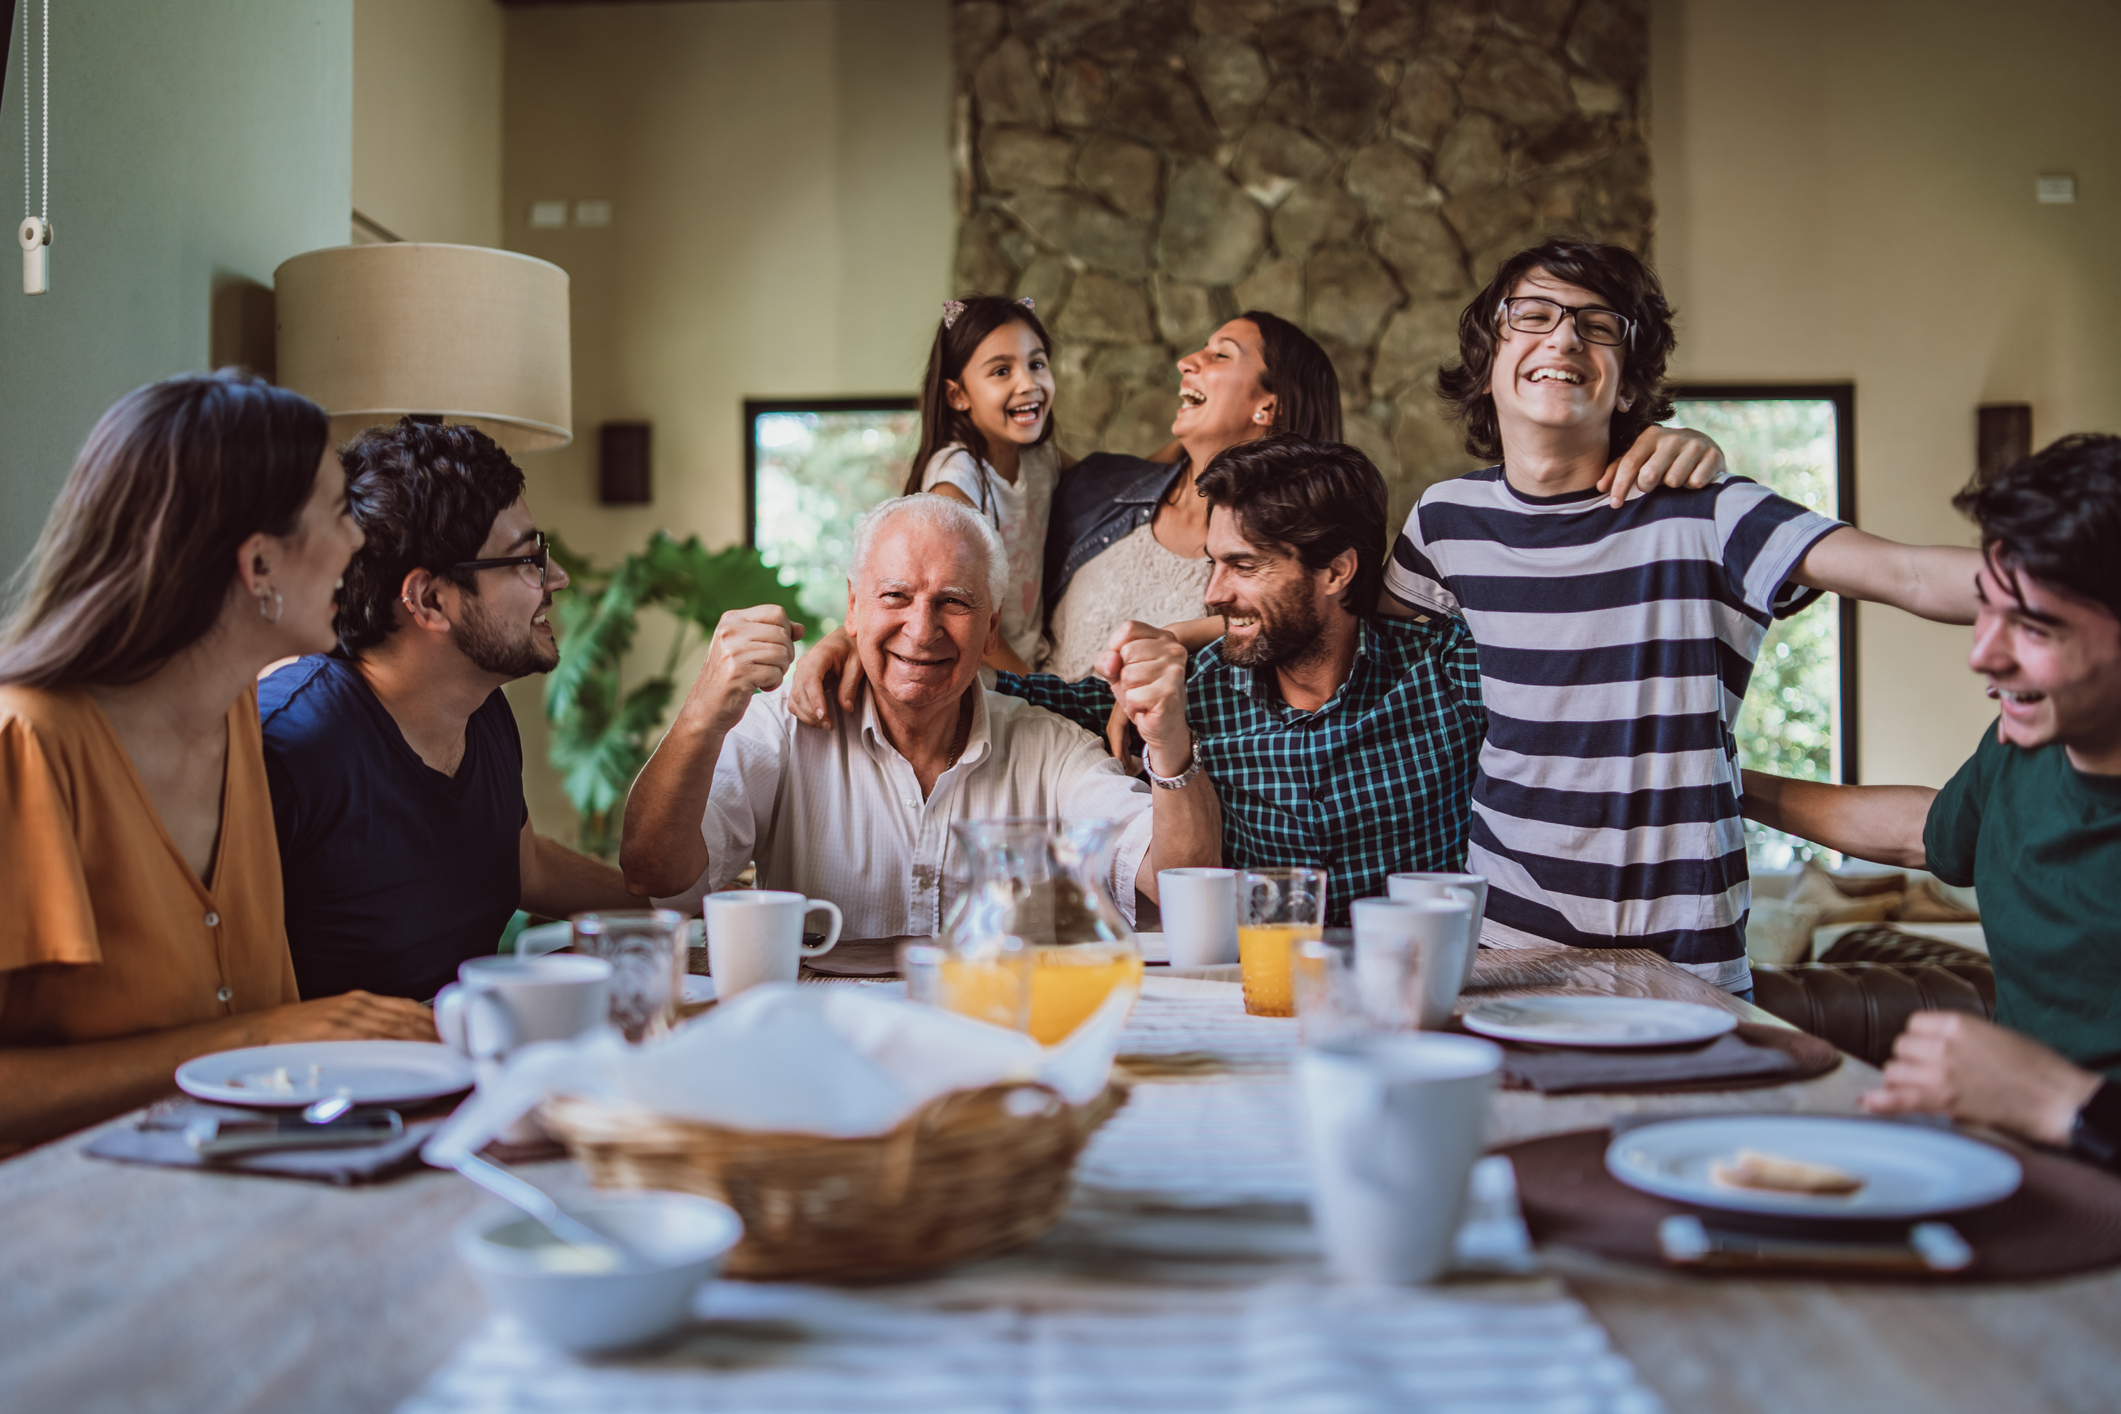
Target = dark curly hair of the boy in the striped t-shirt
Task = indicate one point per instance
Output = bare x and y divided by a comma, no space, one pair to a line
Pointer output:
1613,275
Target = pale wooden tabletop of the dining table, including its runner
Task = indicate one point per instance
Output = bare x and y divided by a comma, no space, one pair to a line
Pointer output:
137,1288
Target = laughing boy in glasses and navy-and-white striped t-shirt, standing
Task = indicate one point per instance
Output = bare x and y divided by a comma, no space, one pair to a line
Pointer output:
1617,635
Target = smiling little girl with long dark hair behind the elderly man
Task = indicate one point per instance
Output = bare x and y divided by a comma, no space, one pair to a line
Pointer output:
987,442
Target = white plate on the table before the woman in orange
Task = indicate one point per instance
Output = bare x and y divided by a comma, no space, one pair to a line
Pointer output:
370,1072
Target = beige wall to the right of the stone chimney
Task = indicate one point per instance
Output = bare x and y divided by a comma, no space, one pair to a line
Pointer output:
1846,192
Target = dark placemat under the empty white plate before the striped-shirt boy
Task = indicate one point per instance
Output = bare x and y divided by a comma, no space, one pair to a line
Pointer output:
1734,1061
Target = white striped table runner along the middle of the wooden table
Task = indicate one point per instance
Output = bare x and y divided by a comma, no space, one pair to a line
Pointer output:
1047,1332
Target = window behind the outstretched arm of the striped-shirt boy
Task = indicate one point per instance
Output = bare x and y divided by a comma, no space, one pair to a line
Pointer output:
1800,715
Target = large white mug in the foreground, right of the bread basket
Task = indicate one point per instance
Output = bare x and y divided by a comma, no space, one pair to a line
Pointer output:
1395,1125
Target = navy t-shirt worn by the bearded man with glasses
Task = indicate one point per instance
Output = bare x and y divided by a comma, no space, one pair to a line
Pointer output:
393,872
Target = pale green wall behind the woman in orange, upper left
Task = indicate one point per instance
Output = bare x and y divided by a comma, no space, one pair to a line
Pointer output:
194,147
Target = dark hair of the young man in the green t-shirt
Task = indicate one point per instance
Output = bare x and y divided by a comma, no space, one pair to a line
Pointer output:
2056,516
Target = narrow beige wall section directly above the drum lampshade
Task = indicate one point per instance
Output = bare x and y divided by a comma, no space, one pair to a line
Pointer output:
427,118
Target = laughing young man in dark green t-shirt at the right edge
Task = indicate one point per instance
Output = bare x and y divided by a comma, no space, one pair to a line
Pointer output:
2033,821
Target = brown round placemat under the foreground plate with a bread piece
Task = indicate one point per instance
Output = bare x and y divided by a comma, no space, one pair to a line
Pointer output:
2067,1216
